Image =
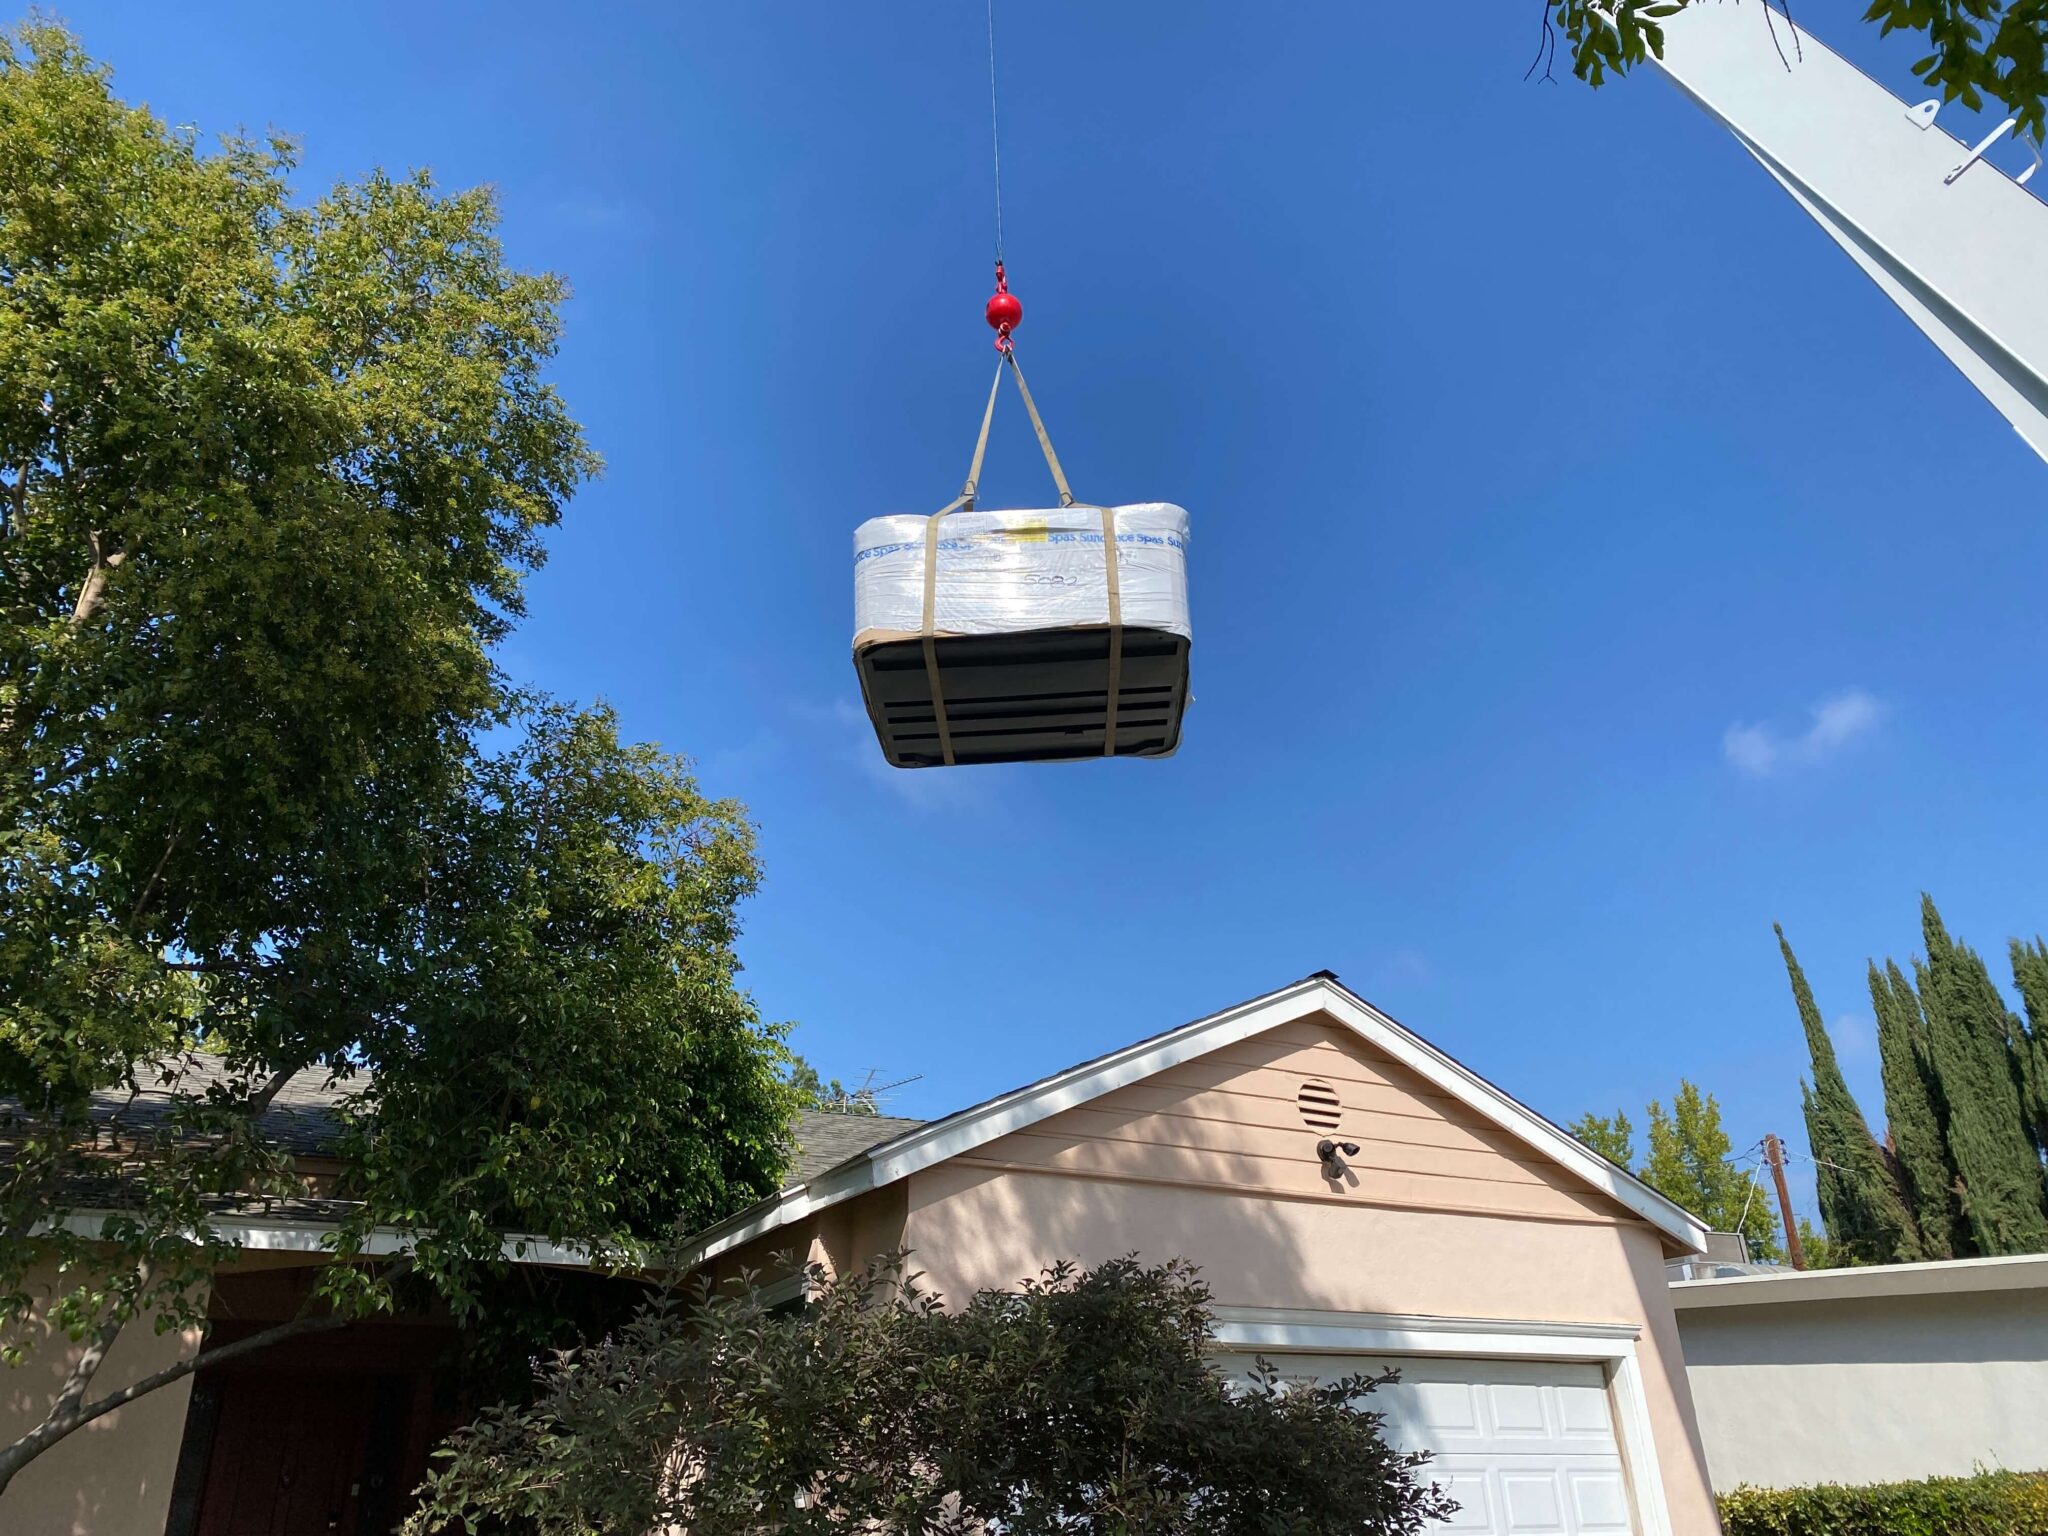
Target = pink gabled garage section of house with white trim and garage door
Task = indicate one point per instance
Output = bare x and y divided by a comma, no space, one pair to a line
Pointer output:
1514,1277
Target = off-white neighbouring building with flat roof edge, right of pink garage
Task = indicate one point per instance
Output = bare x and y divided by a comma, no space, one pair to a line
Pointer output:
1871,1390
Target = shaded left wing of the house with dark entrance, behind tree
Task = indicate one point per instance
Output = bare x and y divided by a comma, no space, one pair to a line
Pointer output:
321,1433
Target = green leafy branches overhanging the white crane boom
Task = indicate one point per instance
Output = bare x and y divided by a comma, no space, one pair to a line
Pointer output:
1977,50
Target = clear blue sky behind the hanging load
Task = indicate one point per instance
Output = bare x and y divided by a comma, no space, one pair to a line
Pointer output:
1590,566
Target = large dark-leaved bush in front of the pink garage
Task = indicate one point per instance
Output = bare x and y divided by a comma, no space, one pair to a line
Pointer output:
1078,1402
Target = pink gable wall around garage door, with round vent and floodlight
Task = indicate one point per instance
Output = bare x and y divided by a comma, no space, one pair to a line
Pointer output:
1441,1211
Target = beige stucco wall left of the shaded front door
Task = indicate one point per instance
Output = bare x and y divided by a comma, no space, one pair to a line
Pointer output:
112,1478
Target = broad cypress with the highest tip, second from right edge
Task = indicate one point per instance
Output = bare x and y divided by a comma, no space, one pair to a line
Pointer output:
1969,1043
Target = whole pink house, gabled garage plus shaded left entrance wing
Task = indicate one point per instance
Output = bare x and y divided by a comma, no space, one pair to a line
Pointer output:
1353,1195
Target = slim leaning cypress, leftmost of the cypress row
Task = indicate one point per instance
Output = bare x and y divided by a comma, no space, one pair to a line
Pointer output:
1863,1195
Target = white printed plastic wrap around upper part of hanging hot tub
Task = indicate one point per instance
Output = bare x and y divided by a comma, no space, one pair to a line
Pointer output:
1009,572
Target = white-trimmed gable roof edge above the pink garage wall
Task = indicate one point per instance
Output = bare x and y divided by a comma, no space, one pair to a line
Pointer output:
927,1144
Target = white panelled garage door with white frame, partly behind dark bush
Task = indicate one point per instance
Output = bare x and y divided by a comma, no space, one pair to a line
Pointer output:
1525,1447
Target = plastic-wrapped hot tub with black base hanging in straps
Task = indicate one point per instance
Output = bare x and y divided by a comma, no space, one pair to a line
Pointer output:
1009,638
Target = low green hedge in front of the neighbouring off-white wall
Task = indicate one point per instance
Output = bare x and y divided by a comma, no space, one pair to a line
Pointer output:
1990,1504
